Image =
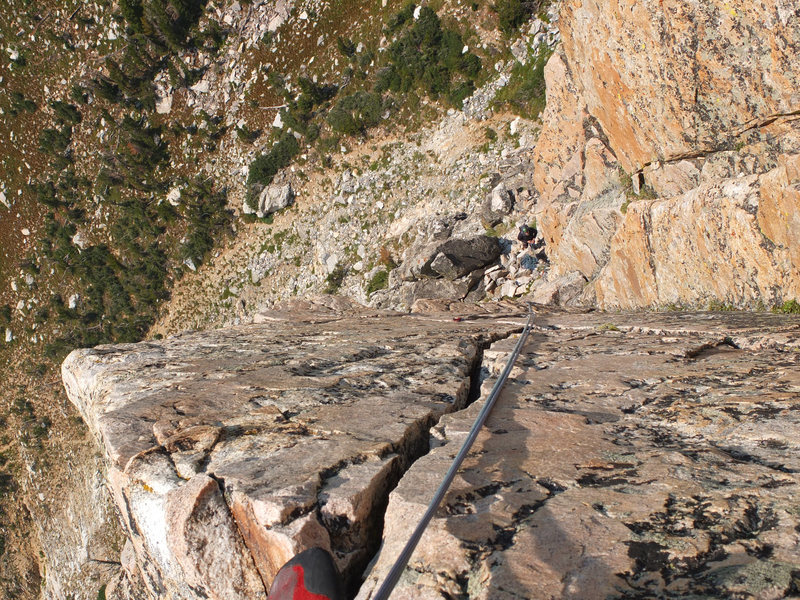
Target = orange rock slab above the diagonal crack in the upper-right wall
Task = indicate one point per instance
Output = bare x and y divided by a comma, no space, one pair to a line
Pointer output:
666,78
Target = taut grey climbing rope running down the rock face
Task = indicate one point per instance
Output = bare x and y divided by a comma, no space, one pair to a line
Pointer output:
402,560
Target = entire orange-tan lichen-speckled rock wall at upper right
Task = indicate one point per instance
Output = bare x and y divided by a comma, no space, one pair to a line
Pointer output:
677,102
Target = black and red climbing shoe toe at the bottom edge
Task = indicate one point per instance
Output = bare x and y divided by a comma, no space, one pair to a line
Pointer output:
311,575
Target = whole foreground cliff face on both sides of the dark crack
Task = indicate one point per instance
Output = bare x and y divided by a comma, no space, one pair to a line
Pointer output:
630,456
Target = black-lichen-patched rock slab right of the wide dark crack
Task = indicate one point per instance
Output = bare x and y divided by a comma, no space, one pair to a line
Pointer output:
630,456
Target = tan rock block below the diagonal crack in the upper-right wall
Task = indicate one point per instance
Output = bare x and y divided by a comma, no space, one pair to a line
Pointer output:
727,242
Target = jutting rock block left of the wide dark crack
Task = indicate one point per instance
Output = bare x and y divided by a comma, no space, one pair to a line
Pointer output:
230,451
